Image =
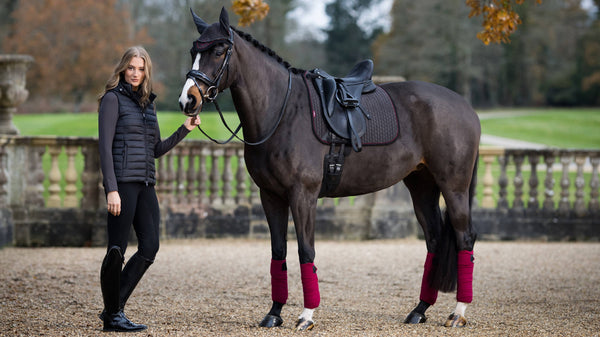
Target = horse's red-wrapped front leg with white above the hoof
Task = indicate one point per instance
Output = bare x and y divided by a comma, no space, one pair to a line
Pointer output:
304,209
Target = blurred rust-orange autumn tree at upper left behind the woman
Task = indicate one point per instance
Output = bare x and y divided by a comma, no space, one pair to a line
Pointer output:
76,45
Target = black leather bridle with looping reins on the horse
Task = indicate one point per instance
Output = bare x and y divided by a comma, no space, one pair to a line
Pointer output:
213,91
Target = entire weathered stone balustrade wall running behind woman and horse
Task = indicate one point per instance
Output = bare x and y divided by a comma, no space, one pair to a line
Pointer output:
205,192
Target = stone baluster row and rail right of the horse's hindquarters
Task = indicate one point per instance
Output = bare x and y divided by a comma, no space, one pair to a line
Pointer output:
532,176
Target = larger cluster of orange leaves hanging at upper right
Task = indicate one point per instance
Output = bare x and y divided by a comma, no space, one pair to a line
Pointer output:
499,19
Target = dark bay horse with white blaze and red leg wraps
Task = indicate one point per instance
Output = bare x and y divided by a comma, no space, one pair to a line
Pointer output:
436,152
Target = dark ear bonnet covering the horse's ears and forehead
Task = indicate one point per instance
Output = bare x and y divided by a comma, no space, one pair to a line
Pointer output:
211,35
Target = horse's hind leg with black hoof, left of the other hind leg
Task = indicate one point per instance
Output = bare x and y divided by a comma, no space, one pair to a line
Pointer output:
425,195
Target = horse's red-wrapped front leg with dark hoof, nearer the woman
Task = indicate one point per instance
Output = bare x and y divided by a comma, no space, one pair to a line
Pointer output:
276,211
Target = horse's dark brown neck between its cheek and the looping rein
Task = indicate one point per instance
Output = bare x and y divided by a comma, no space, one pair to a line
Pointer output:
259,91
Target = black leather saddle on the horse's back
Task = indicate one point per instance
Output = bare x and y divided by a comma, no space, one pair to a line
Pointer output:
340,100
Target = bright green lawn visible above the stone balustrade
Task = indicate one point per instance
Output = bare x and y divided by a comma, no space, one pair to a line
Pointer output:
563,128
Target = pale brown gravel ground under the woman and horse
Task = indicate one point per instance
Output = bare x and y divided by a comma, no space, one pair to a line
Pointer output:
221,288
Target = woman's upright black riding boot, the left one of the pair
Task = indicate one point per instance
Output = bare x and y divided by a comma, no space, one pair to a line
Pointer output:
110,279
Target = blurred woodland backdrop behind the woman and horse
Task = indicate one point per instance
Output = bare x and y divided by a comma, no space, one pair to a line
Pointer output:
553,59
